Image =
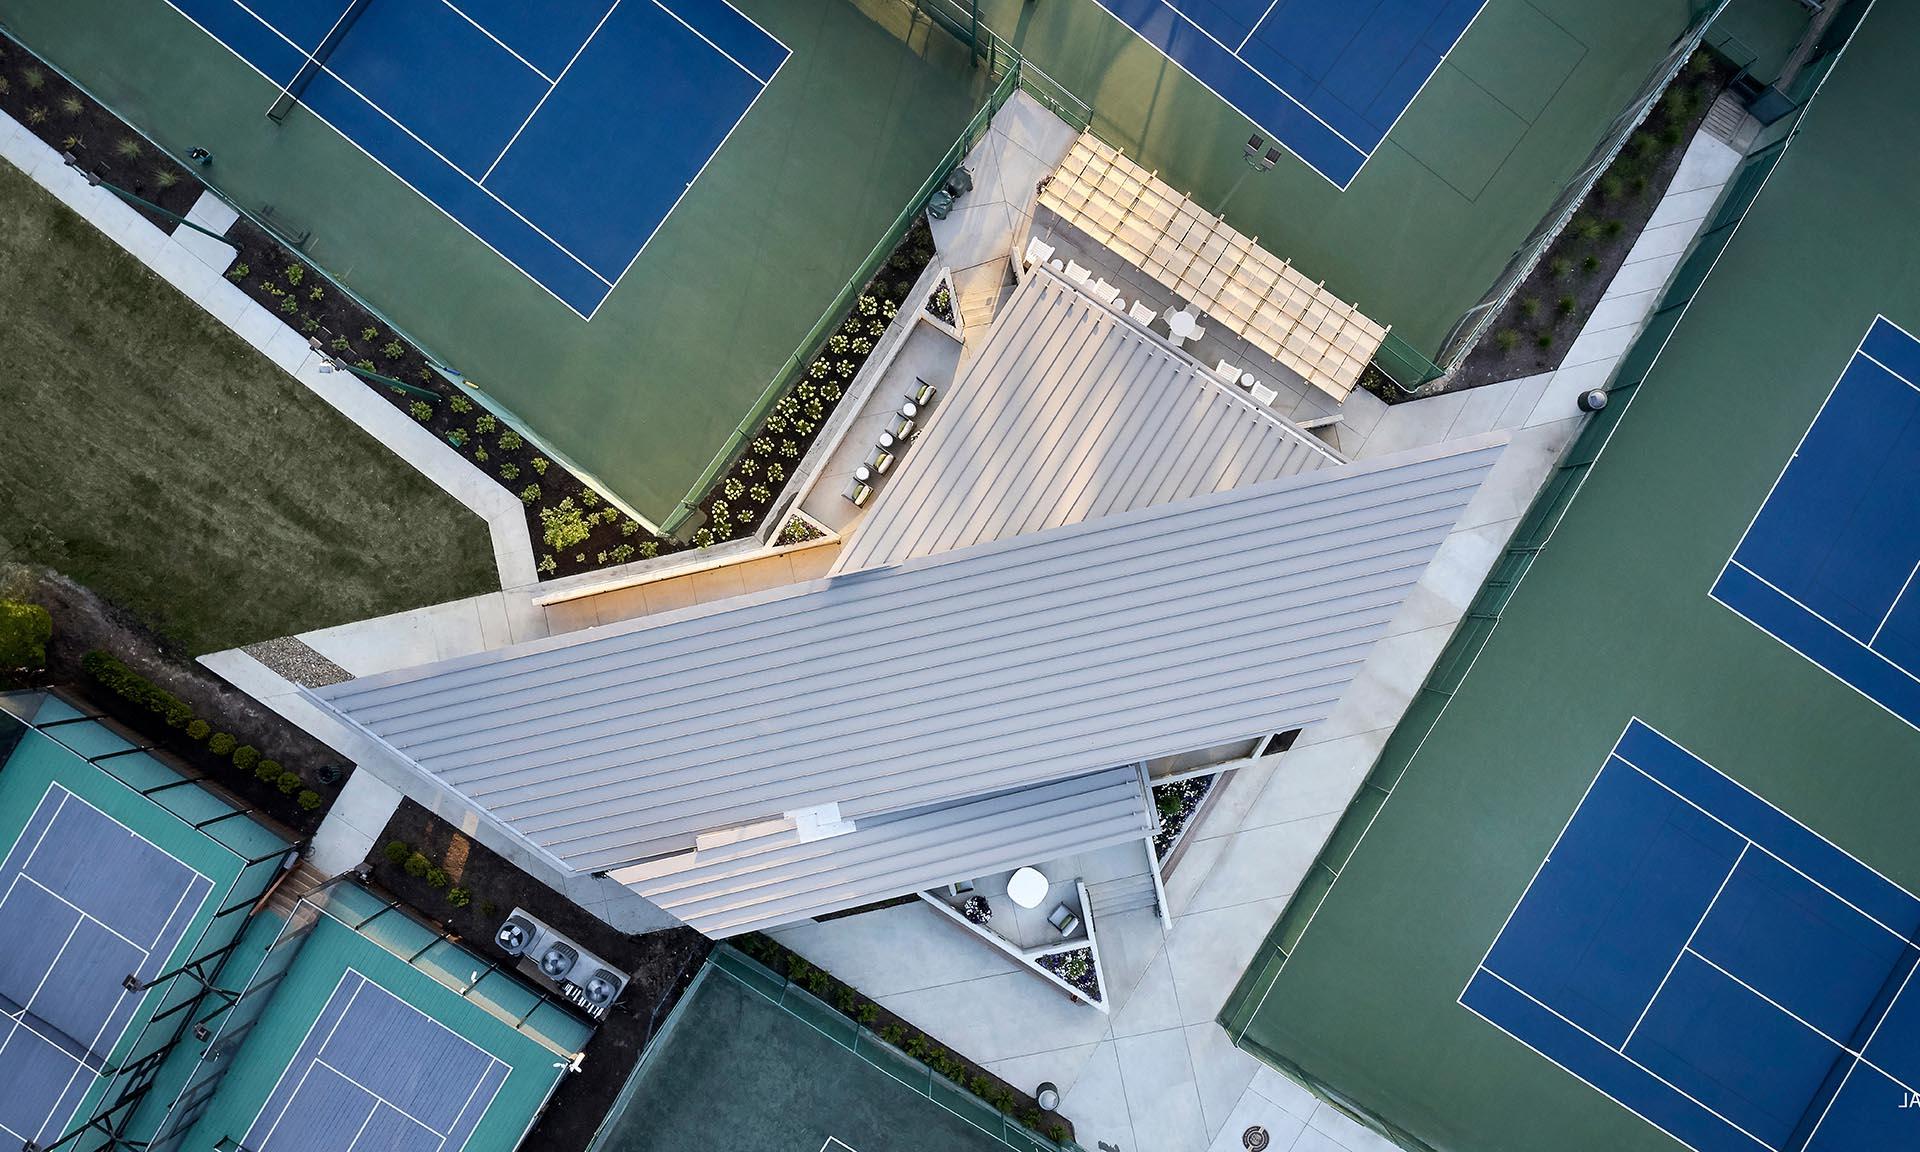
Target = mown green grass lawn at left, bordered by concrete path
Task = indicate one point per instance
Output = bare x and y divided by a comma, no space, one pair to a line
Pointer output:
153,456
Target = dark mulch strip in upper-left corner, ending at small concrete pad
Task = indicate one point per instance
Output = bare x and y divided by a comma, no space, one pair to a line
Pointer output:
57,112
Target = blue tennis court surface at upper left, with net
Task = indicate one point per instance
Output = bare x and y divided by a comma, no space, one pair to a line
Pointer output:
560,133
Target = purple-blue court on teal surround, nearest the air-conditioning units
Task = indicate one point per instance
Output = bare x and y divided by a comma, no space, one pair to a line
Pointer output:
377,1074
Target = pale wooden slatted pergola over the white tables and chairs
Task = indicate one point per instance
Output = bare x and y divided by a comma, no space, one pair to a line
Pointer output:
1207,262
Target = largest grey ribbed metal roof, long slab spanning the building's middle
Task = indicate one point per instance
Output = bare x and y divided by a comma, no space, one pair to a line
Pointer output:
978,671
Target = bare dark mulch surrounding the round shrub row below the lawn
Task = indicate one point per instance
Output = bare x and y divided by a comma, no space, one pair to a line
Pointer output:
84,623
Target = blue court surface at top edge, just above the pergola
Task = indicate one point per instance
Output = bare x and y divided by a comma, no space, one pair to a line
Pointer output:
1326,78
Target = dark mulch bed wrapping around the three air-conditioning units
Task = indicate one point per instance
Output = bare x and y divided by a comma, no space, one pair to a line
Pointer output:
660,965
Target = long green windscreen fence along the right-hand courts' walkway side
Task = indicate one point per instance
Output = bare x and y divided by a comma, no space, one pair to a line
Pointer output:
1424,713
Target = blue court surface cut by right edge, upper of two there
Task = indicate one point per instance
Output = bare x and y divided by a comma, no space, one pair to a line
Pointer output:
1829,564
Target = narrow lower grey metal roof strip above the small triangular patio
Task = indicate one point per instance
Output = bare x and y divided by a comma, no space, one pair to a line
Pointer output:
779,878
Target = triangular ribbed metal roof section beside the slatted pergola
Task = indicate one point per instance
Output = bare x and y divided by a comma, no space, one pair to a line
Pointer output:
1072,412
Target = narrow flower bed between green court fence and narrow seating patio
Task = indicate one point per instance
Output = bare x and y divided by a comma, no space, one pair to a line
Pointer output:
740,500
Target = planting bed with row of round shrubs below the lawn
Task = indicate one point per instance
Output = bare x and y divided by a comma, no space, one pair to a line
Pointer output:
178,709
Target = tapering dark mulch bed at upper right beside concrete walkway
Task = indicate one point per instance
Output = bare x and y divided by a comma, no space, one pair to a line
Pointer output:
1593,249
